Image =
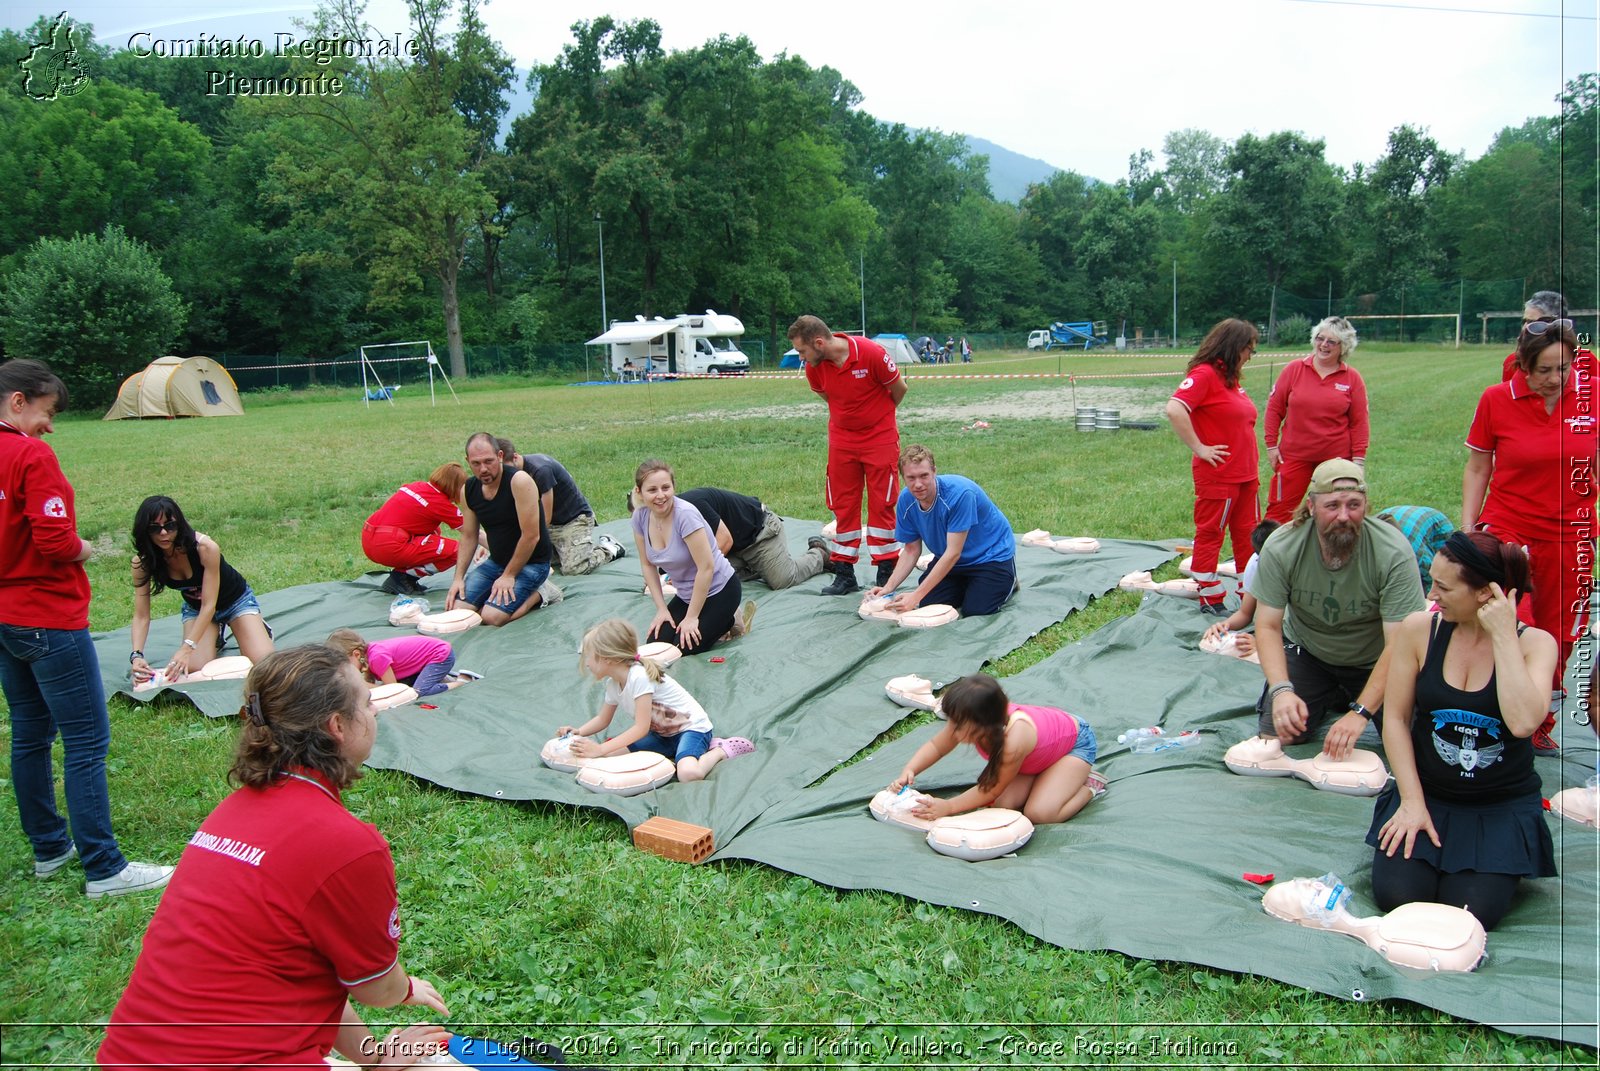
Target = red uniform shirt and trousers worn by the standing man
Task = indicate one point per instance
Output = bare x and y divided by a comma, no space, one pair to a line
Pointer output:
863,447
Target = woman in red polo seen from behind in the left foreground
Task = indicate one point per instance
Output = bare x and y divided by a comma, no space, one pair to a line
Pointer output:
284,909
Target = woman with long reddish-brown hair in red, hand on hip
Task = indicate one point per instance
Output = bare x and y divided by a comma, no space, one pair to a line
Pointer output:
1217,420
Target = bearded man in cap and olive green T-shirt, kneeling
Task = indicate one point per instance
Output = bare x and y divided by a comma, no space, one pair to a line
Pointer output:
1332,588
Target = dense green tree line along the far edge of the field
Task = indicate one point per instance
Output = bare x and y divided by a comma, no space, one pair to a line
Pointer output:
150,215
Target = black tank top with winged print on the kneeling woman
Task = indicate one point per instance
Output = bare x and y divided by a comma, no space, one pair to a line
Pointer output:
1465,752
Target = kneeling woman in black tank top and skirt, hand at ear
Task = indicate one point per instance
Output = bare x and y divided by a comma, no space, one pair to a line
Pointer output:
1463,820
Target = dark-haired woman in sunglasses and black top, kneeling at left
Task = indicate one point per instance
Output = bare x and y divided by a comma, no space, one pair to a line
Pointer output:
169,553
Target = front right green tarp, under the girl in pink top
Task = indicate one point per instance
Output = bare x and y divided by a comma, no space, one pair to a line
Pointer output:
1154,868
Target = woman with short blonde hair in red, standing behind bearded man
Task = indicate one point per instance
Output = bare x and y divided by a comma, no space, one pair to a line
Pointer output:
1318,412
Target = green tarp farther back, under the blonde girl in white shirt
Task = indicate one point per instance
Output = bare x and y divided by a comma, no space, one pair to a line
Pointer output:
807,686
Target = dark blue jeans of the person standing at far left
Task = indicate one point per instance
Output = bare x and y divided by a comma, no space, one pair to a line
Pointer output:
52,683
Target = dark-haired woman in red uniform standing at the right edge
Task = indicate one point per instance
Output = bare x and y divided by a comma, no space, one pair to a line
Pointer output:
1530,479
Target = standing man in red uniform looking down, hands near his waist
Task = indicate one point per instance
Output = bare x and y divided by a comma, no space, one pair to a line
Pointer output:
863,388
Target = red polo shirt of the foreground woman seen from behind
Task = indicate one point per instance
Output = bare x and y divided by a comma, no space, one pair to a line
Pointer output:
282,901
